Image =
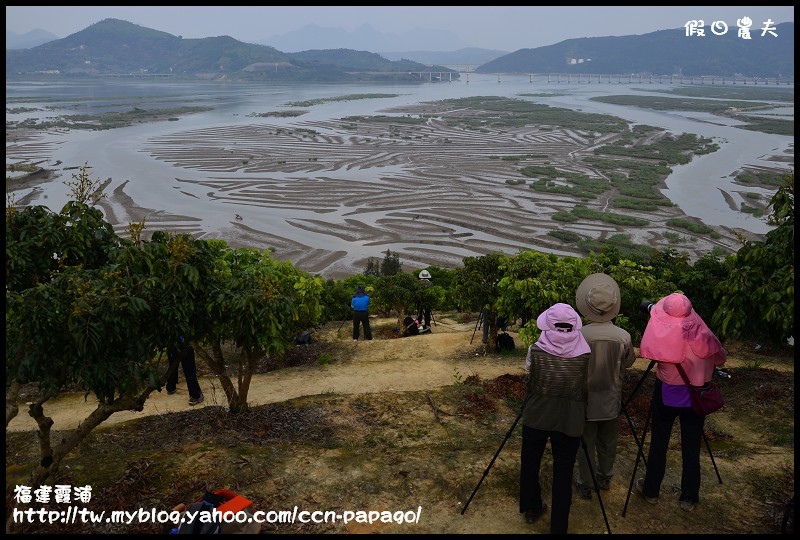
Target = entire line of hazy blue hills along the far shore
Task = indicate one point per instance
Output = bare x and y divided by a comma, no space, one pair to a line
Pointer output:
115,47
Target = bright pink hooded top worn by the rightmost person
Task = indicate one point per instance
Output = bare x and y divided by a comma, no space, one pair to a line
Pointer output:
676,334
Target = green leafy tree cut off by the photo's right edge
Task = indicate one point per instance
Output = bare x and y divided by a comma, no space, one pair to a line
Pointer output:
756,301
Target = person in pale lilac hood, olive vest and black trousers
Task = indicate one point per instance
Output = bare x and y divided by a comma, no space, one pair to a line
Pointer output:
555,409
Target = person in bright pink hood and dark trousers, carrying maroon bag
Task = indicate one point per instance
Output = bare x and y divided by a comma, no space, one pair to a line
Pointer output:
676,334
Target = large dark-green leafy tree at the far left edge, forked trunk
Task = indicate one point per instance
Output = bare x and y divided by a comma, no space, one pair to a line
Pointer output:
88,310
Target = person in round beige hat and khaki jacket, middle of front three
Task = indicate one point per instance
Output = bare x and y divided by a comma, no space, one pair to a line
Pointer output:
598,300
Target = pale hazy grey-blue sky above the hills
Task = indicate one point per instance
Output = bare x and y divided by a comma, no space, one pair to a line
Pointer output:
506,28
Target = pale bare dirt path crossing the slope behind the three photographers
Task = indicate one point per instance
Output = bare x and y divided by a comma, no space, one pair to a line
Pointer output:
381,365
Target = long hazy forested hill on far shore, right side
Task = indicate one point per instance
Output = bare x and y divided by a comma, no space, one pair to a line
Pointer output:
665,52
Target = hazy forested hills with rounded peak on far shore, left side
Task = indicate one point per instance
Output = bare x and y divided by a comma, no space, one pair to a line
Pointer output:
114,47
